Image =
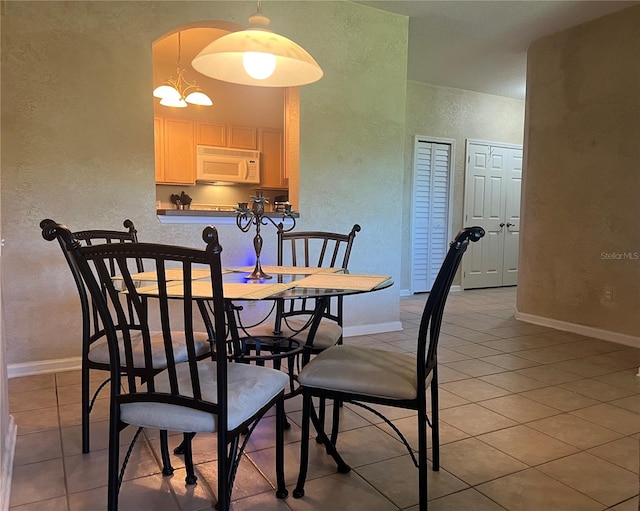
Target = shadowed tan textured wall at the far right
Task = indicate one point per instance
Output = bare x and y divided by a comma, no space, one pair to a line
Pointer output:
581,191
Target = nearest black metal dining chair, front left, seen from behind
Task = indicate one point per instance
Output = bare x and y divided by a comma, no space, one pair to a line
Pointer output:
212,395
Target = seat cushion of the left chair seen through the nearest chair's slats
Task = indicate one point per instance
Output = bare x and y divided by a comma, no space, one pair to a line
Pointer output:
99,352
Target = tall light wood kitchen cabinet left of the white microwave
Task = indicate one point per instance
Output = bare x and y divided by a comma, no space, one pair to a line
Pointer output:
177,162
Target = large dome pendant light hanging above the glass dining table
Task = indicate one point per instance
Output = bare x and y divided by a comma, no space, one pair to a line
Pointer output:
257,56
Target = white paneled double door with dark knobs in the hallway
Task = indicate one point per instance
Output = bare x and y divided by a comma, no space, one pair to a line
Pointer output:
492,201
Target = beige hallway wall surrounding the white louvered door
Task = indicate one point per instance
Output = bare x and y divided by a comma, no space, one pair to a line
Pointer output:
454,114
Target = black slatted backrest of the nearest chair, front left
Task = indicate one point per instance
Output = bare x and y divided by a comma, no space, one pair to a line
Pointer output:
93,263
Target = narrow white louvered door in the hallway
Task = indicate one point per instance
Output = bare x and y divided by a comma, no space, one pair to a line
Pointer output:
430,212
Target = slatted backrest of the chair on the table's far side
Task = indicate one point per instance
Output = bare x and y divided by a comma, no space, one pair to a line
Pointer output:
314,249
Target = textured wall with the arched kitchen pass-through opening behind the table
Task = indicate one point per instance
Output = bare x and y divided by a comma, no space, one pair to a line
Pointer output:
77,133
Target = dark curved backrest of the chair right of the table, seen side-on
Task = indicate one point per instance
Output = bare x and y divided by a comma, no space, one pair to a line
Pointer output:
434,308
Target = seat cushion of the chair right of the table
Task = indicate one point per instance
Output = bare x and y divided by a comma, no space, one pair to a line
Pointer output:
365,371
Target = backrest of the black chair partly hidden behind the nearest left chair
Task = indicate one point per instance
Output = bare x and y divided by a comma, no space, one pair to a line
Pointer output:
92,328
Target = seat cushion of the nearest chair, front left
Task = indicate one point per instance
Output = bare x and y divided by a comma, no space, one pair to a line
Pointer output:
249,388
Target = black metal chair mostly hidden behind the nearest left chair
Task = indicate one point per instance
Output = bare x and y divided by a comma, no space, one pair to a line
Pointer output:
95,352
